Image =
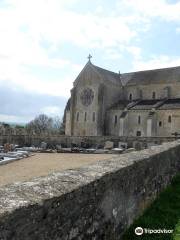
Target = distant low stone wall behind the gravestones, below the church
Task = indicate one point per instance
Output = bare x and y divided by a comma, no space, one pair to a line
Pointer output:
137,142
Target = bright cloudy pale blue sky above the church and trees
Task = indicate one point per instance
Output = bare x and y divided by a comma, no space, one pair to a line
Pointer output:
44,45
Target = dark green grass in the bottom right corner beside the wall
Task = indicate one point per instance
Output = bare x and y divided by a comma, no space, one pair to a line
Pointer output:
164,213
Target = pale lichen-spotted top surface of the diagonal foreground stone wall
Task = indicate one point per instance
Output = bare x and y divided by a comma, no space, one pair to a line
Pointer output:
36,191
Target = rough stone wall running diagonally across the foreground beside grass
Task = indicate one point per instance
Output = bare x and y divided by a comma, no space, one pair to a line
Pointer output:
98,201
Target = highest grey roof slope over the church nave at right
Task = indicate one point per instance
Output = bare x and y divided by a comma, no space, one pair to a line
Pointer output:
163,75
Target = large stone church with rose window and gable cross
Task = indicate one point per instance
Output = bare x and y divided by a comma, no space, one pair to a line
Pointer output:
136,104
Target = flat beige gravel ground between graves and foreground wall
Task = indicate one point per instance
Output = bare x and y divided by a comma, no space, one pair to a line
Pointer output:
42,164
